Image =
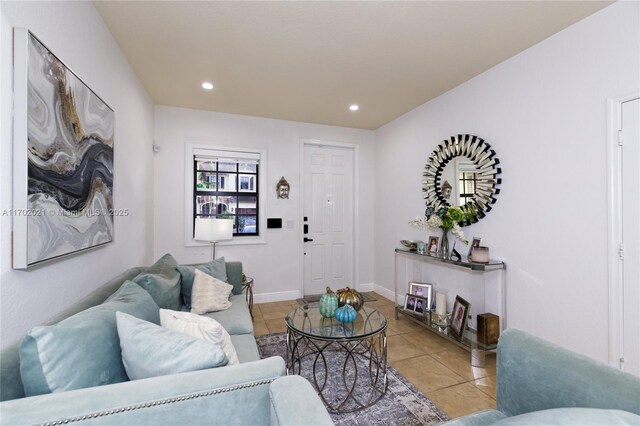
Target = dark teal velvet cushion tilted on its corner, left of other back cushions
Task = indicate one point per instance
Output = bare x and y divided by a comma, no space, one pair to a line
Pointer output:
162,281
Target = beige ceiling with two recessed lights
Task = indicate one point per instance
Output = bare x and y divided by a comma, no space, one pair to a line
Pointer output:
308,61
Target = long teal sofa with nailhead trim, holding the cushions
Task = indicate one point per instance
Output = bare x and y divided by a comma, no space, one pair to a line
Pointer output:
254,392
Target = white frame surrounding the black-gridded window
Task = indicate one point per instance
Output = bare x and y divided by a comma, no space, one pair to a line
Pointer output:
191,149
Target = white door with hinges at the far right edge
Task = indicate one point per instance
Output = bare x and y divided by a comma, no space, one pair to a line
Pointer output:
631,236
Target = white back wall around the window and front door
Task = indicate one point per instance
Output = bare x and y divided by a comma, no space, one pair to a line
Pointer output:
277,265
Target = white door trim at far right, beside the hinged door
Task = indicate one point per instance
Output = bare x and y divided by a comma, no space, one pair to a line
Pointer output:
614,224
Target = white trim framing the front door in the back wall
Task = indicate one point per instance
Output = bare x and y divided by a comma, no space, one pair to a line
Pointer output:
356,204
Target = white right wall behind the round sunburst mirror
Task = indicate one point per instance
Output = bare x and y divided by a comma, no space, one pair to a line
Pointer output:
544,112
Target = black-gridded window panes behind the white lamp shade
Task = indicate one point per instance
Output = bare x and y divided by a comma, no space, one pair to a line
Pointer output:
226,186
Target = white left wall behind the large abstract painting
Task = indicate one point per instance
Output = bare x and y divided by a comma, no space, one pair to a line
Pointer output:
76,34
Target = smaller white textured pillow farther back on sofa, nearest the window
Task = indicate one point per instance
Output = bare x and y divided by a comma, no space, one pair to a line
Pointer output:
209,294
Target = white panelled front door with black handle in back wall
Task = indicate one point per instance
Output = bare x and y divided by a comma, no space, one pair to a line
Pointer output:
329,209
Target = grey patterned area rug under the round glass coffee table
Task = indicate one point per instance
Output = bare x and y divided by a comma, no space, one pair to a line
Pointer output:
402,405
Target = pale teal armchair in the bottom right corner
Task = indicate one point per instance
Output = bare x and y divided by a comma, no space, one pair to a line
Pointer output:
539,383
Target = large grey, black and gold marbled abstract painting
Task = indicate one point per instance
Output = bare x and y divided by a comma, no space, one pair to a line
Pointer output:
63,158
